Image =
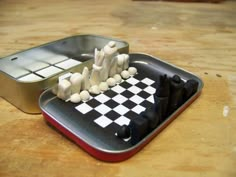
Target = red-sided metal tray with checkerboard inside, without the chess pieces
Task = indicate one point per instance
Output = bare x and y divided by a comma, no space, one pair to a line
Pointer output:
93,124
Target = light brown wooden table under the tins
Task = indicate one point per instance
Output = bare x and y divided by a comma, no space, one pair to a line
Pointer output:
198,37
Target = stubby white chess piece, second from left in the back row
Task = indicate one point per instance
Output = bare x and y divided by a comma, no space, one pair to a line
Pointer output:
76,80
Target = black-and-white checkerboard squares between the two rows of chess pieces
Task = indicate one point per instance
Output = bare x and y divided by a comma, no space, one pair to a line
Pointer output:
120,103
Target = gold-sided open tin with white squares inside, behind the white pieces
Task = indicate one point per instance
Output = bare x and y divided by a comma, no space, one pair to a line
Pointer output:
25,75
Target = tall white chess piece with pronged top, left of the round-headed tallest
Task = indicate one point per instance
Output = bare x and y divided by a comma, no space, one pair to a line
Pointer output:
95,77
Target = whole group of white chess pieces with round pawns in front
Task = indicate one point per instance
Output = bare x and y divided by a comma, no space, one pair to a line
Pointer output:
108,69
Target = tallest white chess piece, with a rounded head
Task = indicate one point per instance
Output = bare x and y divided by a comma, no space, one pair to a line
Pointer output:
110,51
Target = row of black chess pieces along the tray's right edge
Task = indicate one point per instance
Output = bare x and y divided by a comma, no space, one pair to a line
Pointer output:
170,94
